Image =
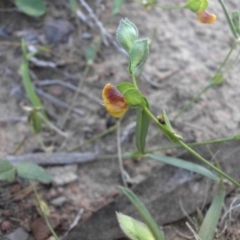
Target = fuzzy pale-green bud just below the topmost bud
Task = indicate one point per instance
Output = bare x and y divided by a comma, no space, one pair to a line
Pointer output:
138,55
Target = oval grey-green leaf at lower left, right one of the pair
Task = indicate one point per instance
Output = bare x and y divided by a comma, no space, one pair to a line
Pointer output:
34,172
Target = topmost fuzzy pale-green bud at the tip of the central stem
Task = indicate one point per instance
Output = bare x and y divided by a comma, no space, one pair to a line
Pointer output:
127,34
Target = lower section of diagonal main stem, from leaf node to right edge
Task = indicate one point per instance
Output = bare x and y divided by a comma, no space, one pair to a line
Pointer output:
203,160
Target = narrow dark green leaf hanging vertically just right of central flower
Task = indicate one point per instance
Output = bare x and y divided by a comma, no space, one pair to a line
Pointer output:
142,128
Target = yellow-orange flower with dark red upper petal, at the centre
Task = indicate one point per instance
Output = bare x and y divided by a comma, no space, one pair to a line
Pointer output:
114,101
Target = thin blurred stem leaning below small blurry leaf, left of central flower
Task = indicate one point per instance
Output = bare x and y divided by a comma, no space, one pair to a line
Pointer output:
81,82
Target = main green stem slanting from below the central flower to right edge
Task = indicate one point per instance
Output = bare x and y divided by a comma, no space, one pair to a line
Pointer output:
192,151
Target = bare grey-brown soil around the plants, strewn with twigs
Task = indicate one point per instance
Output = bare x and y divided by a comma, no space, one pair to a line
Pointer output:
185,54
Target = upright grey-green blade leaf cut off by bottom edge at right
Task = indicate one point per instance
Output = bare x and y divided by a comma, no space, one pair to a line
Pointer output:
211,219
